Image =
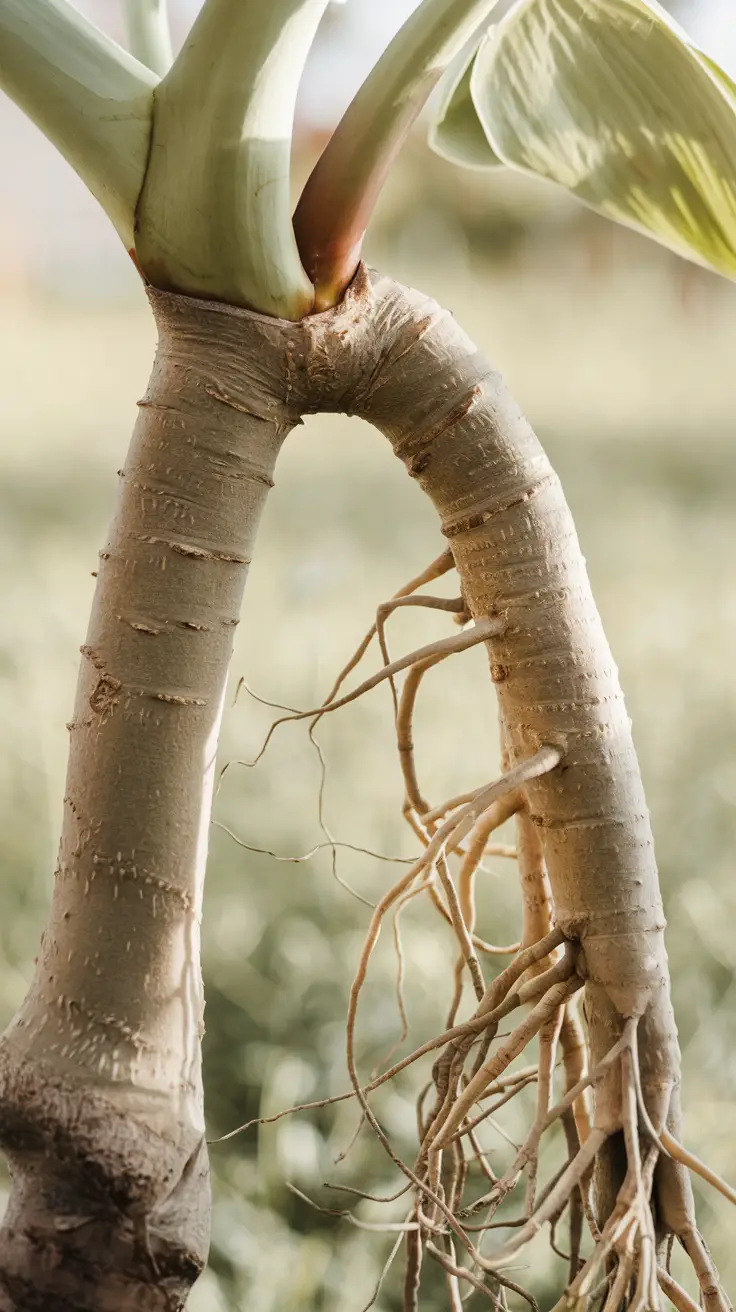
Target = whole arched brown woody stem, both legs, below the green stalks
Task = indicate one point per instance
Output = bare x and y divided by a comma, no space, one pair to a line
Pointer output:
100,1086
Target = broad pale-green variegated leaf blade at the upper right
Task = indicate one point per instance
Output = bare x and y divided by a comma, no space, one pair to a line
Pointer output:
609,100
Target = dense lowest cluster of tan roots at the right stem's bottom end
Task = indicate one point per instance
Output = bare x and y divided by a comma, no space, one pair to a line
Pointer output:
623,1271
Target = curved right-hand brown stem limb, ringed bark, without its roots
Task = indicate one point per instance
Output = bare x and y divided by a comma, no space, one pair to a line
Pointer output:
461,435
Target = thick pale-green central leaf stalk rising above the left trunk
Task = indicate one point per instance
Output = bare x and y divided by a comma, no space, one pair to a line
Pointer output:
215,217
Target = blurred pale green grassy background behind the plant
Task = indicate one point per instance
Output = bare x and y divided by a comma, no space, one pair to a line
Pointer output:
625,360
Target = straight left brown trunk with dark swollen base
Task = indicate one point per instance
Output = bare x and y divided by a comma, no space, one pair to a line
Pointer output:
100,1071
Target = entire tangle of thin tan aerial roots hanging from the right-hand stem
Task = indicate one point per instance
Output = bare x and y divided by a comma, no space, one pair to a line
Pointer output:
476,1071
